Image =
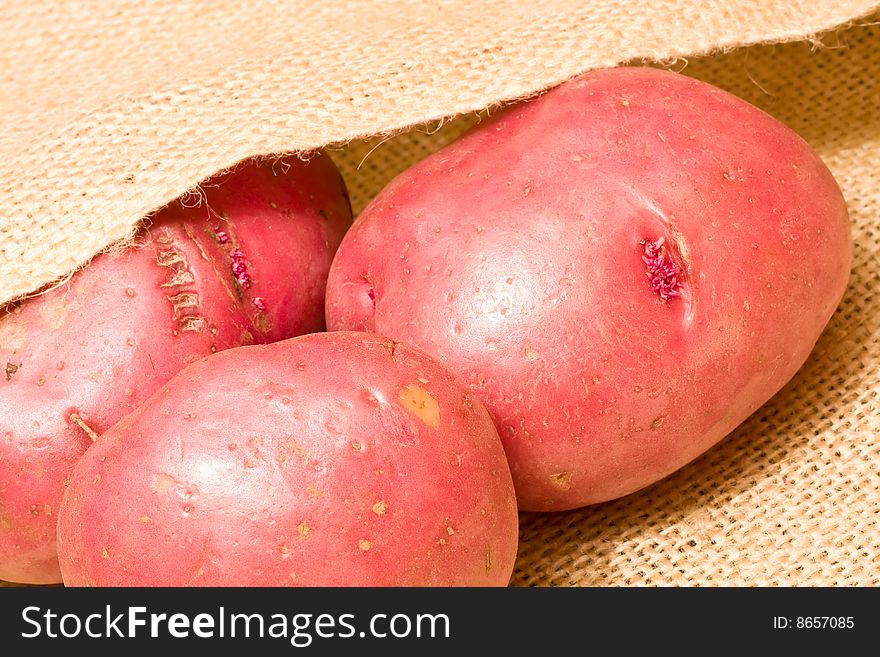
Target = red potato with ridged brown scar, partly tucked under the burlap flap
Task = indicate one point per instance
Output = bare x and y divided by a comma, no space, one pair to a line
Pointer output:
247,266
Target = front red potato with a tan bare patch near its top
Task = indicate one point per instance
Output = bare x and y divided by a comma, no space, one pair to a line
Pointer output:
324,460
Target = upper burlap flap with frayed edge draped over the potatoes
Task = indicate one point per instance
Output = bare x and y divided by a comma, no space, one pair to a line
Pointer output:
113,108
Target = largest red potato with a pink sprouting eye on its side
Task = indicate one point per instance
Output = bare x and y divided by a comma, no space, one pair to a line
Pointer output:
623,269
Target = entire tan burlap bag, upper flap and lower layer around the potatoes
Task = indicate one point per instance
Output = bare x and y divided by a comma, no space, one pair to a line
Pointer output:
111,109
